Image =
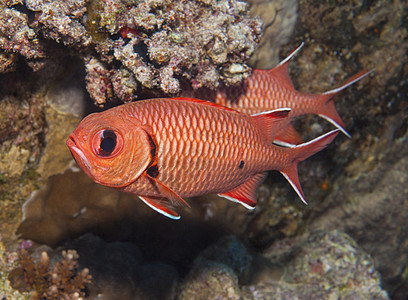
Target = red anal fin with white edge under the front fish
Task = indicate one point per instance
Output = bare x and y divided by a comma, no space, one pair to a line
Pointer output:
245,193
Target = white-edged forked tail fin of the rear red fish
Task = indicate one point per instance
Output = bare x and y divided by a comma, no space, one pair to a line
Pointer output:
328,111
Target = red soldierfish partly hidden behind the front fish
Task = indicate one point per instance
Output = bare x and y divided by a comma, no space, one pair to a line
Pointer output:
271,89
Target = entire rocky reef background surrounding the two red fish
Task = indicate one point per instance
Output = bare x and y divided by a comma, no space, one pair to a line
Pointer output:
60,58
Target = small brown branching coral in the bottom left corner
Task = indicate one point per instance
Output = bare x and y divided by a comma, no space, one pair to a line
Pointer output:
62,281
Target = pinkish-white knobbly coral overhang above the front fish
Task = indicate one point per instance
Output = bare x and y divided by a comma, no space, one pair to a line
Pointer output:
129,47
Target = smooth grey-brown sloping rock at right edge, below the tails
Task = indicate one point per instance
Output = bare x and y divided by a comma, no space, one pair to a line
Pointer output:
369,204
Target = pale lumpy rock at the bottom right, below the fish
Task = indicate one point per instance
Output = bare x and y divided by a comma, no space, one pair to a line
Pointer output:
318,265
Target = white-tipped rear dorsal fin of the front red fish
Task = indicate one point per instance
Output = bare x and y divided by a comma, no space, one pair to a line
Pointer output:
269,121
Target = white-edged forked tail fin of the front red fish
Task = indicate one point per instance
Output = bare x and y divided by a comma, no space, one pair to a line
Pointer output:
300,153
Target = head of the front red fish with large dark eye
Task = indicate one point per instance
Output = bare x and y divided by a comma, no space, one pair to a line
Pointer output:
111,150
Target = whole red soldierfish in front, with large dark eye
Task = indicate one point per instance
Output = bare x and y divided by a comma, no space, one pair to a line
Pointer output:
166,149
